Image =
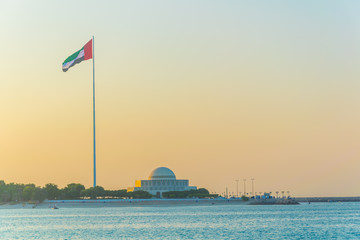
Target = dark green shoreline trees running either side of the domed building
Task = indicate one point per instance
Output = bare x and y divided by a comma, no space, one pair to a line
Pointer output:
13,192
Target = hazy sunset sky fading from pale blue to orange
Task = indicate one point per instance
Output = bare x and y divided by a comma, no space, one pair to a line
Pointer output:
214,90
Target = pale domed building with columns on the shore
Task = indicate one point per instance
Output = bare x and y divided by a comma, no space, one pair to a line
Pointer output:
161,180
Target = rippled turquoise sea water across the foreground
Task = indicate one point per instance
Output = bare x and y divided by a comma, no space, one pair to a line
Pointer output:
305,221
